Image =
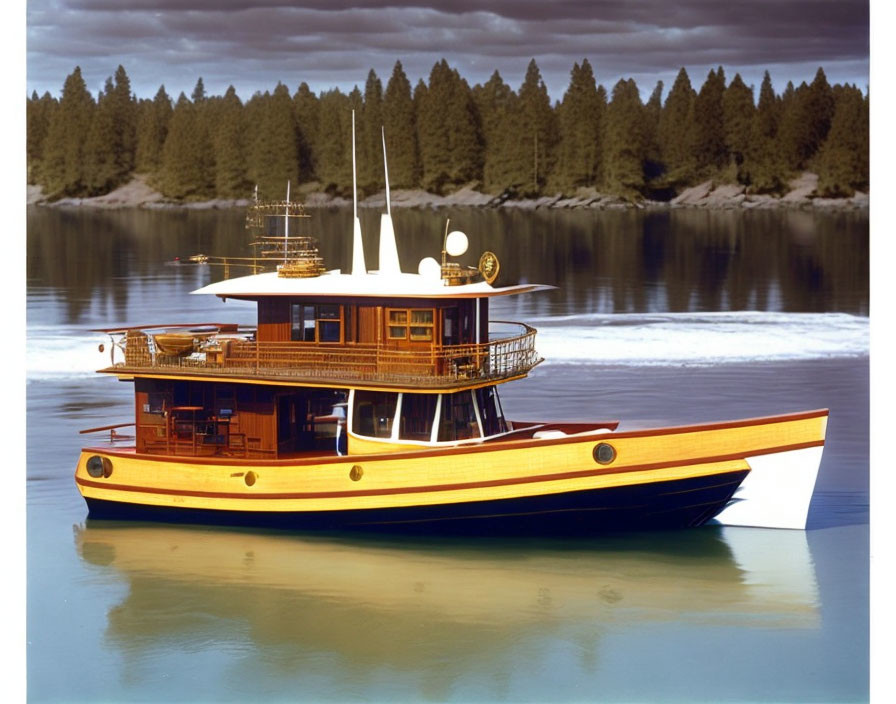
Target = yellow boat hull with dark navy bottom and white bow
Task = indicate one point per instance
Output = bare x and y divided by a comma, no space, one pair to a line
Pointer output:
587,481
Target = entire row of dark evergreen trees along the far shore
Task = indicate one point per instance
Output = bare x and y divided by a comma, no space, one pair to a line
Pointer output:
444,134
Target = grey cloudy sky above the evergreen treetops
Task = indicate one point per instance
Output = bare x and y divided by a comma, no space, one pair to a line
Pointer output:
329,43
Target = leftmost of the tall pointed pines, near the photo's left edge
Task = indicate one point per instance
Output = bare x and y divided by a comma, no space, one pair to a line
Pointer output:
63,170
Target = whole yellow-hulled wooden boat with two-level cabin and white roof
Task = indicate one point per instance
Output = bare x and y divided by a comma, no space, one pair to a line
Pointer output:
371,400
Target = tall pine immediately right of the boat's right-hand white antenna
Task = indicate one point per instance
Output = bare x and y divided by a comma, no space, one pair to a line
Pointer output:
401,131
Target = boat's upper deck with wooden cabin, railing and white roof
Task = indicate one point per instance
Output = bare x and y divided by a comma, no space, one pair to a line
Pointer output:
379,330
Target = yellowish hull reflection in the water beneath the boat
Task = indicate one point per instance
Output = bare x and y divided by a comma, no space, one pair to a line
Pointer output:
375,602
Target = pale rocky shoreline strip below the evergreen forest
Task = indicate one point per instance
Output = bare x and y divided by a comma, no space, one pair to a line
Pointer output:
707,195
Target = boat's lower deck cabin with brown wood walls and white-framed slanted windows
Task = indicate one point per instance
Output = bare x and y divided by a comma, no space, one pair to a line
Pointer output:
208,418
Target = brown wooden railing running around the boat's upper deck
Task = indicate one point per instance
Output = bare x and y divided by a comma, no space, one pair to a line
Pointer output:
510,353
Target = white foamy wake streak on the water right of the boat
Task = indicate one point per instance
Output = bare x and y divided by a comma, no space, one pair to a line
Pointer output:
696,339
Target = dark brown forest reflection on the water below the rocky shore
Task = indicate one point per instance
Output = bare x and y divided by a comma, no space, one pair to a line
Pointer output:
601,262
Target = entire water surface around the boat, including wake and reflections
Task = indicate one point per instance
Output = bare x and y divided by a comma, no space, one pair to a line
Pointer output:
658,318
